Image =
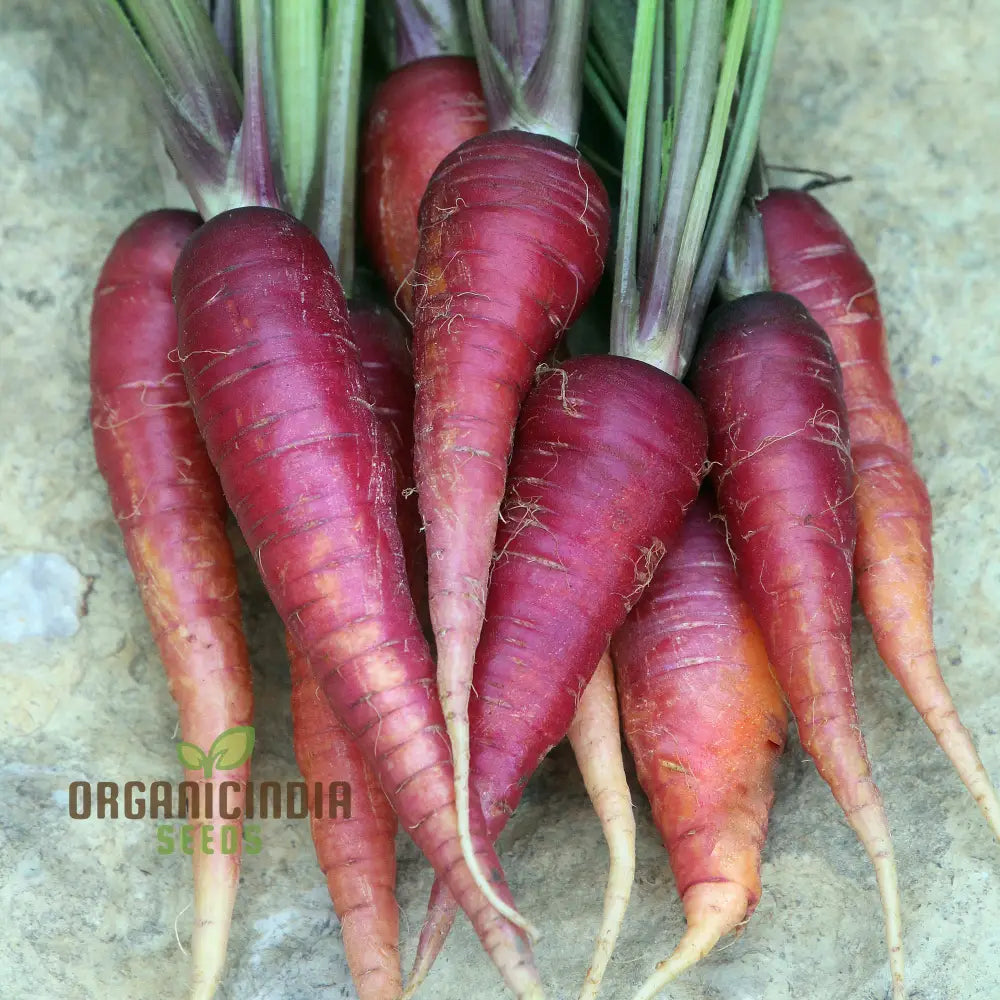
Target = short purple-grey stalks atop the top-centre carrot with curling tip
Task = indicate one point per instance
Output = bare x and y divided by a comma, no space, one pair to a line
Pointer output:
530,58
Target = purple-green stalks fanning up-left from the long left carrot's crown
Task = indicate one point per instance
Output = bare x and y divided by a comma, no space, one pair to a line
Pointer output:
217,138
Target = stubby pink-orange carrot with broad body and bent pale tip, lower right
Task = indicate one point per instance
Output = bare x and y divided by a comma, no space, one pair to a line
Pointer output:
705,721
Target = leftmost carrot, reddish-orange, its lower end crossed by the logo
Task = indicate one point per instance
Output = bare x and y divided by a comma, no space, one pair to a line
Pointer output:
169,505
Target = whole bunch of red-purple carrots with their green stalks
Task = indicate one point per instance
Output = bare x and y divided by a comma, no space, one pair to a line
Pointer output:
477,548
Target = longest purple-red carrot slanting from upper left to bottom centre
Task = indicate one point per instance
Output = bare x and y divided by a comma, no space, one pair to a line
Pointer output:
279,394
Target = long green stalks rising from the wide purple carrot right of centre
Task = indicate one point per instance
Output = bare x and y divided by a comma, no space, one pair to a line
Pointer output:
690,134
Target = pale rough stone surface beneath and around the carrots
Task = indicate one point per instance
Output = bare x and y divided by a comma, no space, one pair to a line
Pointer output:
900,95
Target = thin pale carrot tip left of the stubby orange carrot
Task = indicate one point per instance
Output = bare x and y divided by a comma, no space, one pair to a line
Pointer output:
595,736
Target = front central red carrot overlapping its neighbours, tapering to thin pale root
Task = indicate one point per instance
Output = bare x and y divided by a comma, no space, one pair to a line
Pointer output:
513,233
